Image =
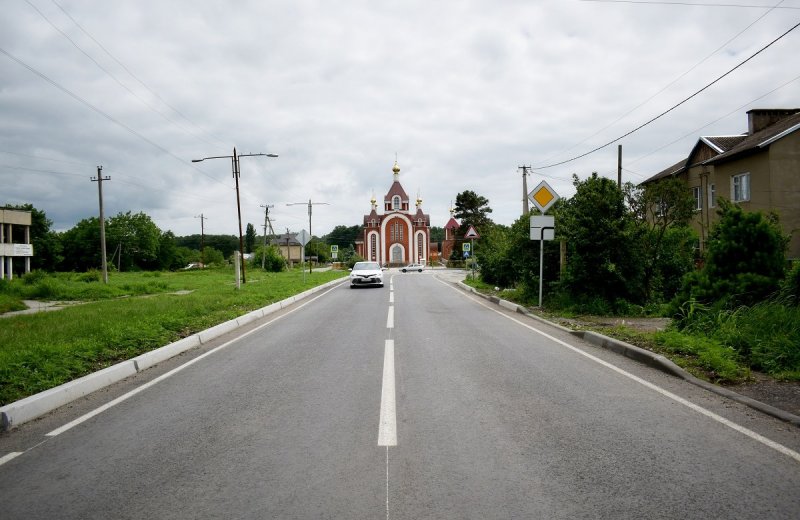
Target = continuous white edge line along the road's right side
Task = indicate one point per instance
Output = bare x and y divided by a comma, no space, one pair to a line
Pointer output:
666,393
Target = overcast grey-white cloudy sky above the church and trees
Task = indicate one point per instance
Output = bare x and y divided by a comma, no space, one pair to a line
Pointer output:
461,92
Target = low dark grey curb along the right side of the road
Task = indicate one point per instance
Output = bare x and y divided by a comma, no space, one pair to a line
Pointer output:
646,357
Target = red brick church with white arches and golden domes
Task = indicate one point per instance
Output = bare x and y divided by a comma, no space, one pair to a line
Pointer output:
398,235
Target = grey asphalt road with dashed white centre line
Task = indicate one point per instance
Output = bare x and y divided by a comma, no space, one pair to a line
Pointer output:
411,401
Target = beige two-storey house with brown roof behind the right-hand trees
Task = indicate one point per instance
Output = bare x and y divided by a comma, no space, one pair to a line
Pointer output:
759,170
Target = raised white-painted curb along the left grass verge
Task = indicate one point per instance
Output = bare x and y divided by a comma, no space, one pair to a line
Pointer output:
34,406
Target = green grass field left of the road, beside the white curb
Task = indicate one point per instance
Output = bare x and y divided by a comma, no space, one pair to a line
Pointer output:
133,314
